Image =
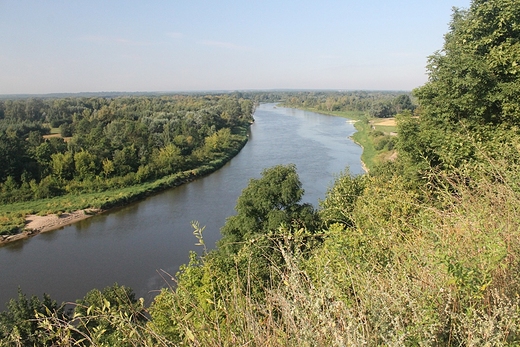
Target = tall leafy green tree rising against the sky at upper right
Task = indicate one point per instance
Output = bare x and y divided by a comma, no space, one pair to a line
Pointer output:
473,84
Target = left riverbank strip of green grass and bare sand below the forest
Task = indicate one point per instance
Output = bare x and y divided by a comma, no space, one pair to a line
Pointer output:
35,217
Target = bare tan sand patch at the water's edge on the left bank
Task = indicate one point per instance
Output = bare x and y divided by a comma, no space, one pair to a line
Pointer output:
35,224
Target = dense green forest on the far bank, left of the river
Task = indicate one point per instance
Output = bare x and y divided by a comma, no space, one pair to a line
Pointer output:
103,143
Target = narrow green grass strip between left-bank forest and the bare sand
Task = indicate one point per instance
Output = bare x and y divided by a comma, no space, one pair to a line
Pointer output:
12,216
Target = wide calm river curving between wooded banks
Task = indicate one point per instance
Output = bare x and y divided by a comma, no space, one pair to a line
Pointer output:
137,244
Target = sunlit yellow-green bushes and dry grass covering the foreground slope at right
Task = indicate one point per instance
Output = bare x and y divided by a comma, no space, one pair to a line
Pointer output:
404,271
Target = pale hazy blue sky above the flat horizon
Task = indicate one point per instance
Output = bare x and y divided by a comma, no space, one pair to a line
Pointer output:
184,45
